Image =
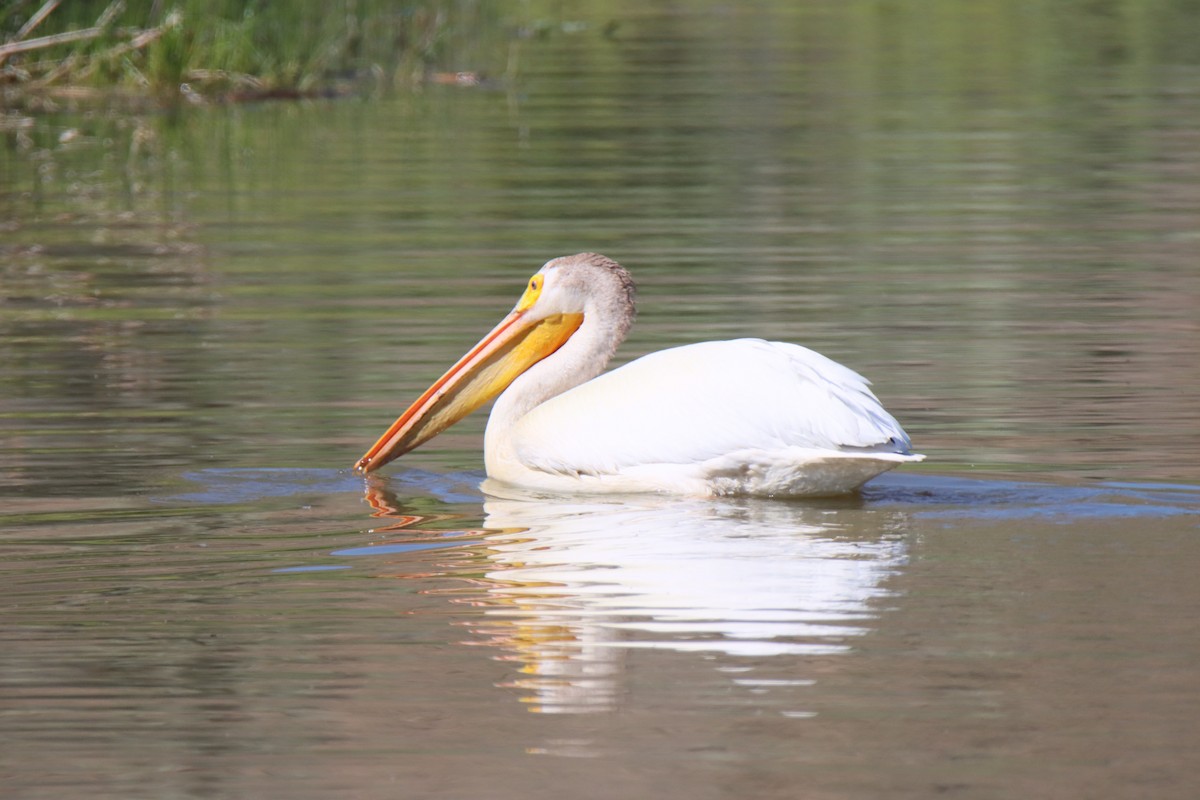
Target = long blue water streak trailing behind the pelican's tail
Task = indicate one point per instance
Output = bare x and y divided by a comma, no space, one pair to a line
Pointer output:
958,498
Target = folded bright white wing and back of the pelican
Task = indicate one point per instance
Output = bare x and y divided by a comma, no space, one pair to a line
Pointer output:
693,405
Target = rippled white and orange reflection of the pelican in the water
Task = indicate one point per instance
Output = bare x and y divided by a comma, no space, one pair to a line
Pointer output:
569,587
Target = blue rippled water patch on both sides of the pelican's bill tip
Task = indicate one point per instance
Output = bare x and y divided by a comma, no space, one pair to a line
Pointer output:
248,485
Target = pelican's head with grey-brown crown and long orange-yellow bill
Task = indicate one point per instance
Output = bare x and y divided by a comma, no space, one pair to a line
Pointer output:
556,302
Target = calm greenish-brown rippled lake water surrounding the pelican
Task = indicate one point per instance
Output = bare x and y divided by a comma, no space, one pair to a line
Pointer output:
208,315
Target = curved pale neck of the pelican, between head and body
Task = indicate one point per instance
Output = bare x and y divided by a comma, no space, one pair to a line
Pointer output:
580,359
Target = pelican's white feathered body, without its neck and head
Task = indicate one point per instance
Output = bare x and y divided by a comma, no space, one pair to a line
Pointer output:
745,417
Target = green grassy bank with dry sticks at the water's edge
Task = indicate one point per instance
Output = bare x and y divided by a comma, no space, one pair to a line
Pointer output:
155,53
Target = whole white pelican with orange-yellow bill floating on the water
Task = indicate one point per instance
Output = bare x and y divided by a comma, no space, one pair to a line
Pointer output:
746,417
